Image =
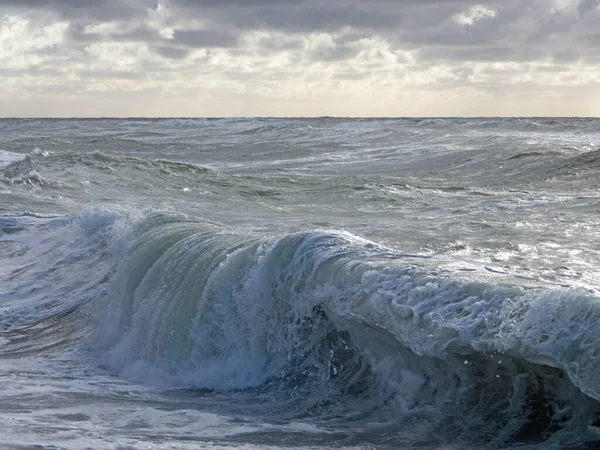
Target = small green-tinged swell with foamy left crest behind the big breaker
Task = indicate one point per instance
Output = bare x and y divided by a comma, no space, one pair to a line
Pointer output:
116,177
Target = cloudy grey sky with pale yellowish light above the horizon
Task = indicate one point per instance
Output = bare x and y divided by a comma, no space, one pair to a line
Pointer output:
222,58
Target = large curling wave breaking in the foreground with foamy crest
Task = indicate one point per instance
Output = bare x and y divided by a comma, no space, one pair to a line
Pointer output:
337,326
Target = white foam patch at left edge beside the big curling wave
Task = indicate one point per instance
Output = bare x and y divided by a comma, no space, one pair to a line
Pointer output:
63,258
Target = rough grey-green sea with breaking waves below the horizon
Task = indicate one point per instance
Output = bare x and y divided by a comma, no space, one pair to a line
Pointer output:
311,284
